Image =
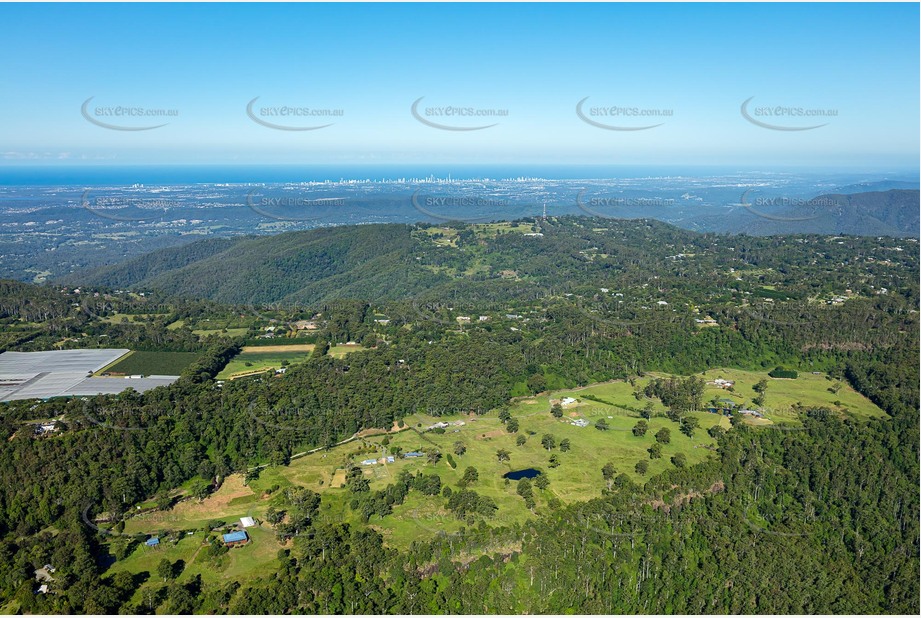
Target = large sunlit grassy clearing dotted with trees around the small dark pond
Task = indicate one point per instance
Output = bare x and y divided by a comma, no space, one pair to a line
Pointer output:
578,477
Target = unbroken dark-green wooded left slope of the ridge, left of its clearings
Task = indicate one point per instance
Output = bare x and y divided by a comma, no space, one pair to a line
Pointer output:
357,261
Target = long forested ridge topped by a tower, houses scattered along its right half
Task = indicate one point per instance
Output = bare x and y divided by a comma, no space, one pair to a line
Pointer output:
560,255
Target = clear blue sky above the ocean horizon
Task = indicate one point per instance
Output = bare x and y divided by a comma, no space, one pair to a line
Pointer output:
537,61
